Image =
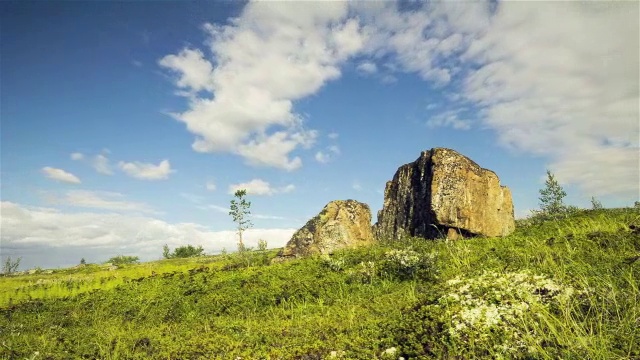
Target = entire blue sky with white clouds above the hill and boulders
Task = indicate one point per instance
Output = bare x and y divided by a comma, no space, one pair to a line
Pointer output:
127,125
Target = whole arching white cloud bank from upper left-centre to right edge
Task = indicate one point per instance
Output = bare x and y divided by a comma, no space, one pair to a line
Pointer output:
553,79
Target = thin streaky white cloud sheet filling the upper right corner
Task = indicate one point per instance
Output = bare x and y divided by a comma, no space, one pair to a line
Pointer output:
554,79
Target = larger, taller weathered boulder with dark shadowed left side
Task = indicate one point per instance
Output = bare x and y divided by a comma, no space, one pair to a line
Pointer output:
444,193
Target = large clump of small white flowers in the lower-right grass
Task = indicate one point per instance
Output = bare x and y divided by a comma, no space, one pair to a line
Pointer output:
489,310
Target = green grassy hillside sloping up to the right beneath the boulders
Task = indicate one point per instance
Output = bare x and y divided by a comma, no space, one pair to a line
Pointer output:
559,289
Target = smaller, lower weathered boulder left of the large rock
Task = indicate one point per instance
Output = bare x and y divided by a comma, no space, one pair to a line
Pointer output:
341,224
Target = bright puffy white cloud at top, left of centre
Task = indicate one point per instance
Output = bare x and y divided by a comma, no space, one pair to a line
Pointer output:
271,55
